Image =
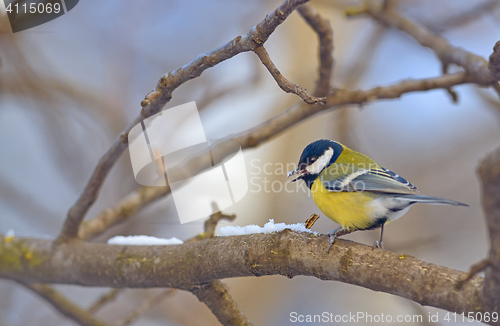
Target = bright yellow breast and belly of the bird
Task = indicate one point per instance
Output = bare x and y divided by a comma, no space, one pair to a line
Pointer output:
349,209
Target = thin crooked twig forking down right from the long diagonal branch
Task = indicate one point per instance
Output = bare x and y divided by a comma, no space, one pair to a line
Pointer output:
283,83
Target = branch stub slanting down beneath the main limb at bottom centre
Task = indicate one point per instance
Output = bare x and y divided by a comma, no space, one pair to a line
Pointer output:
220,302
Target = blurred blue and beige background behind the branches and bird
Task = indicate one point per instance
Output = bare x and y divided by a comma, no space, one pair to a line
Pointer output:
68,87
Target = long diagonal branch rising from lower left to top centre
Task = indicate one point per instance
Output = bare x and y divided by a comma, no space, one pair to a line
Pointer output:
157,99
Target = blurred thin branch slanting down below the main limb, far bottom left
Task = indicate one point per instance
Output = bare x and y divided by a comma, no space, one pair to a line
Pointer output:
64,305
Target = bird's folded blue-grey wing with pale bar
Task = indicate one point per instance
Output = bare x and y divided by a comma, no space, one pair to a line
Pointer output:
374,180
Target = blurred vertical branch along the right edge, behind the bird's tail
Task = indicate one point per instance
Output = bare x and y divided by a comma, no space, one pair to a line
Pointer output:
489,171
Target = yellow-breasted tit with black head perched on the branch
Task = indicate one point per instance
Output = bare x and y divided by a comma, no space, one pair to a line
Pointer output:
355,191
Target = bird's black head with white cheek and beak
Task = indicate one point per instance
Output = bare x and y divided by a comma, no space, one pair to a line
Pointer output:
314,159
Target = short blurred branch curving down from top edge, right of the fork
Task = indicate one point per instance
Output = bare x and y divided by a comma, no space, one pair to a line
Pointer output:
325,34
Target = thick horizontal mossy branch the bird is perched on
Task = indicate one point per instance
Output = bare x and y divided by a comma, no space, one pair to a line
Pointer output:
285,253
